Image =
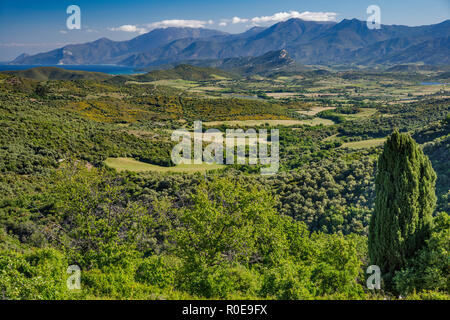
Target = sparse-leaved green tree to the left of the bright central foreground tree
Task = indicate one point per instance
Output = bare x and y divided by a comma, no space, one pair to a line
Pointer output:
98,226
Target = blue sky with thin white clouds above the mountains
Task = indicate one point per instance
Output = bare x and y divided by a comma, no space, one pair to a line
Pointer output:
36,26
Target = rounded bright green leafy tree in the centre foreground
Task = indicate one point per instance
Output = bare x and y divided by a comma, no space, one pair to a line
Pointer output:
229,221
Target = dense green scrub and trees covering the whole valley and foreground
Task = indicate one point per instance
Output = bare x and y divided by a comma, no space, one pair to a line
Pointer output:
231,233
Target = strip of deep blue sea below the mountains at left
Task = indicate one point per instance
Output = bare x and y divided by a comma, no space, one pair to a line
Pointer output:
105,68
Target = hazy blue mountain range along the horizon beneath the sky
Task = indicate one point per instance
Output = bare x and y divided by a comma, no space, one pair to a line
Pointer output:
308,42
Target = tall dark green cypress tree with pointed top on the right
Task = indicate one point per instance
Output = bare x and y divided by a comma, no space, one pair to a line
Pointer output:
405,200
